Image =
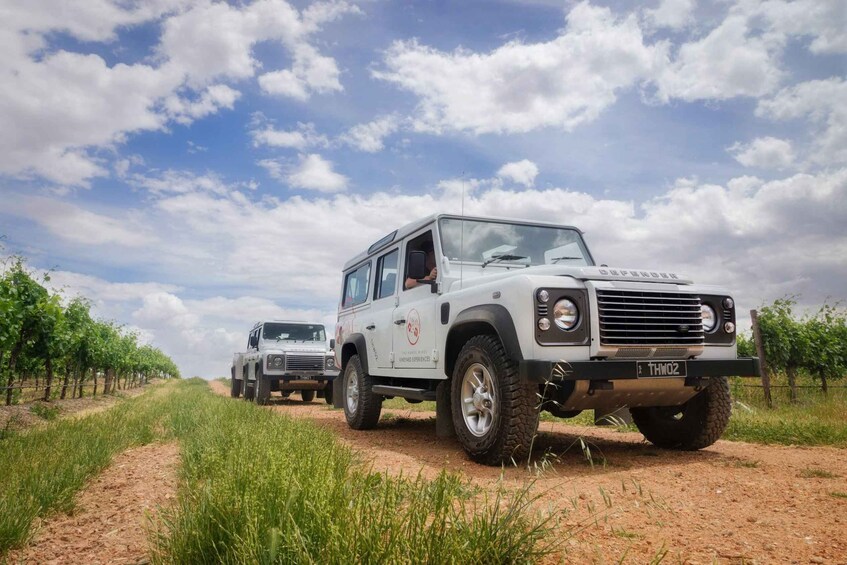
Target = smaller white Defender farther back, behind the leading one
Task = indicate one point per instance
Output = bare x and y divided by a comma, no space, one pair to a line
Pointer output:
286,357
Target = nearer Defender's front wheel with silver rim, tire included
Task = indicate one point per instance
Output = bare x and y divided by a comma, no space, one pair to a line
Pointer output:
495,415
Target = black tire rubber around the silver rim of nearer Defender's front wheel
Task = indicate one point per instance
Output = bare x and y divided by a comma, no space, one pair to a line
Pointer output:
516,417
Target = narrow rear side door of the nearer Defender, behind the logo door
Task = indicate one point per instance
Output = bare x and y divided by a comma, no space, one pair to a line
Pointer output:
379,329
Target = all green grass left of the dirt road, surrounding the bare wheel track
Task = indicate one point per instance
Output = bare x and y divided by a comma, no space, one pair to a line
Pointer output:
259,487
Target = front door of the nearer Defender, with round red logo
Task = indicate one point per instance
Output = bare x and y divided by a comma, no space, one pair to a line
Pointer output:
414,318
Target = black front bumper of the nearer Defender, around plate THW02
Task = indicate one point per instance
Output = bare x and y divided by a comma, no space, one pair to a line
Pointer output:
611,370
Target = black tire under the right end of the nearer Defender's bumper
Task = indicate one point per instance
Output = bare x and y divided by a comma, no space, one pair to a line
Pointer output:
698,423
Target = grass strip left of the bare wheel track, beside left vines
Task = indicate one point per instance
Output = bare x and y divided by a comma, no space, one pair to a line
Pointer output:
43,468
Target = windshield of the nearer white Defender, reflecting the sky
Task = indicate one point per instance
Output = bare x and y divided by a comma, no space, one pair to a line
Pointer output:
492,242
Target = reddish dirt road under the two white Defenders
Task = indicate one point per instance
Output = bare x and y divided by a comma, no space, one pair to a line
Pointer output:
733,502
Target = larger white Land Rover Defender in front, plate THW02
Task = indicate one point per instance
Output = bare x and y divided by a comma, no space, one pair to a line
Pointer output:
498,319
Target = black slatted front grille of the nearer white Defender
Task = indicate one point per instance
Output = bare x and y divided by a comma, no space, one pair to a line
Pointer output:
629,317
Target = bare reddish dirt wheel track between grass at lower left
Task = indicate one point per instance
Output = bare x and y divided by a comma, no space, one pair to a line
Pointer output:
112,512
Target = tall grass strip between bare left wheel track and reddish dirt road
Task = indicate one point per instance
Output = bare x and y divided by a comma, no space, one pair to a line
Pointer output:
258,487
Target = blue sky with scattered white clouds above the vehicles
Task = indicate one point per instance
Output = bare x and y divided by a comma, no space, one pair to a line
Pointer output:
195,166
